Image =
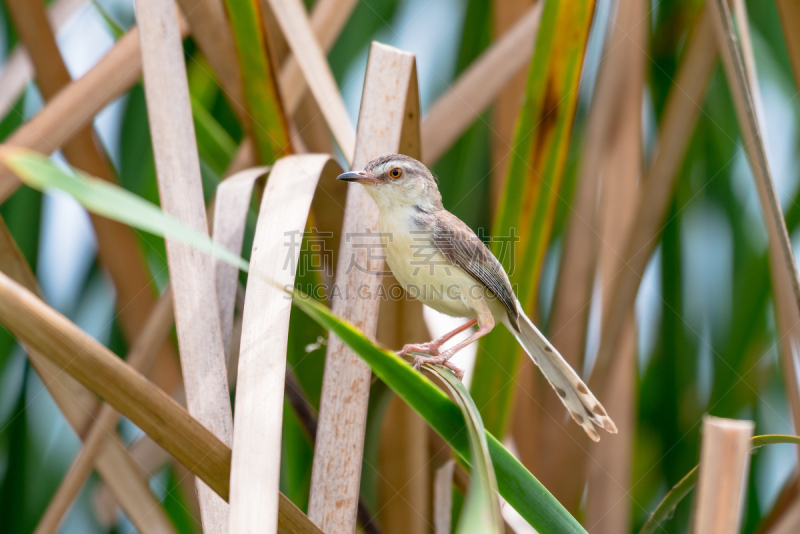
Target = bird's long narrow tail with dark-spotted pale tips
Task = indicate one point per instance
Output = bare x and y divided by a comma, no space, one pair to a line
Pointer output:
581,404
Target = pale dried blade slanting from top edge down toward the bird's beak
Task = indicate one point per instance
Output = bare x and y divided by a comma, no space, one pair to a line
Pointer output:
308,53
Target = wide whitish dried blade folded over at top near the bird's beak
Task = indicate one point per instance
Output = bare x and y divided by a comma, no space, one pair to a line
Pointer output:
255,468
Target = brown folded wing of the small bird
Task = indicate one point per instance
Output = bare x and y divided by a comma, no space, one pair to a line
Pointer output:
459,244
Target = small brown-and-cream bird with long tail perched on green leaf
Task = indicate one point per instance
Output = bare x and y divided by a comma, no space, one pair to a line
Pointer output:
440,261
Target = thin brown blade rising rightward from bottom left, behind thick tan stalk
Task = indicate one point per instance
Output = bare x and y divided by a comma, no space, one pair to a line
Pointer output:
155,332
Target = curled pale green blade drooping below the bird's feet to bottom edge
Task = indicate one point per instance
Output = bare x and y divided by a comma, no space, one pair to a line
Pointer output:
481,508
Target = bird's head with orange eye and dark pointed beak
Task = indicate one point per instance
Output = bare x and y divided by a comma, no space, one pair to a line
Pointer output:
396,181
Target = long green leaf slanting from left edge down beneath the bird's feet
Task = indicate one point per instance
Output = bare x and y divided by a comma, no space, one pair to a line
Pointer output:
515,483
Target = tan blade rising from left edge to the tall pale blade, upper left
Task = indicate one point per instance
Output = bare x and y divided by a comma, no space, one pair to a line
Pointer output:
77,104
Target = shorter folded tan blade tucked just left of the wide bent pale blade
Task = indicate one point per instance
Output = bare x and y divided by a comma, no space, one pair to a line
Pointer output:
230,218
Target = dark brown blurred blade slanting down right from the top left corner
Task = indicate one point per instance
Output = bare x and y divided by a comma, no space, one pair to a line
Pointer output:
118,248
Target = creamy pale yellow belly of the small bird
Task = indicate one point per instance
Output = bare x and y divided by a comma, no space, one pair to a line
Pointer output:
425,273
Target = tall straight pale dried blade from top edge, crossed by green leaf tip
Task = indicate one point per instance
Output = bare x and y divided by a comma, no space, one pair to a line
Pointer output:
191,274
